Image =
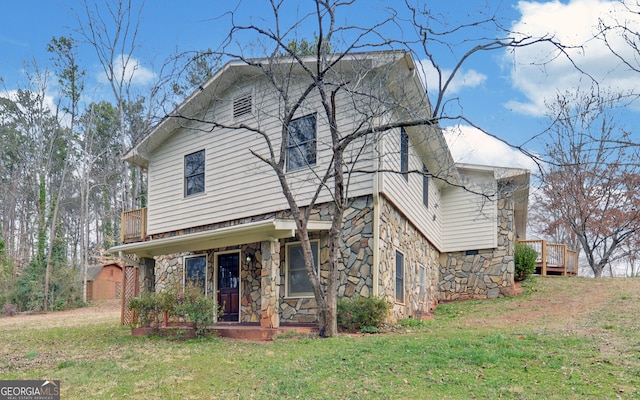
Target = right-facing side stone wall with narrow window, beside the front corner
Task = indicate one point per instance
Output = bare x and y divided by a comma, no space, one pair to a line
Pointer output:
397,233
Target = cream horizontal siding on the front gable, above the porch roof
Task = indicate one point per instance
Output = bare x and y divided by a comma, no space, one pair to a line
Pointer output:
237,184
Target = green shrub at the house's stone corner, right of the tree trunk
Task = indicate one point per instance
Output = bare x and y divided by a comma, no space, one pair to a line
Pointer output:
362,313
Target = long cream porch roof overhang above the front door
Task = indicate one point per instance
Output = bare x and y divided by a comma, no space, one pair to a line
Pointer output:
223,237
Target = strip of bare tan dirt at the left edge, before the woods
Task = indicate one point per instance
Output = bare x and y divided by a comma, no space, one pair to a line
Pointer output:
104,311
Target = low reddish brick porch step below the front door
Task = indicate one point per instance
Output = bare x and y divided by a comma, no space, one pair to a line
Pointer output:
255,332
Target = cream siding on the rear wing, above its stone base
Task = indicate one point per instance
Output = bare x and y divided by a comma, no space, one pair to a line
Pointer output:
469,219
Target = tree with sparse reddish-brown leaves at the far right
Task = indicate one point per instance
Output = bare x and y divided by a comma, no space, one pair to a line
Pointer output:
591,180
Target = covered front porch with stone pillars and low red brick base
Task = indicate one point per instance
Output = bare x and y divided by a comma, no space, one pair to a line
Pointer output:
239,260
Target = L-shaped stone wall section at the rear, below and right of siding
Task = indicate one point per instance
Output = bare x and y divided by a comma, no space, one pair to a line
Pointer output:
486,273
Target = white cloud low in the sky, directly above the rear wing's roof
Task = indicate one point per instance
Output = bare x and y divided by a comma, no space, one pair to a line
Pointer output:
472,146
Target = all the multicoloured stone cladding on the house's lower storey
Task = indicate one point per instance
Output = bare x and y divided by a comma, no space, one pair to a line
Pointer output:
429,276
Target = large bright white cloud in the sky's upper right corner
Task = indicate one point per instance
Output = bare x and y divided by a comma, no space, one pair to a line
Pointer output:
541,71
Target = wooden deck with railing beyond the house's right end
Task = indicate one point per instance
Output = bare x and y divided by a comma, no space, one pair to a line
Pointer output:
553,258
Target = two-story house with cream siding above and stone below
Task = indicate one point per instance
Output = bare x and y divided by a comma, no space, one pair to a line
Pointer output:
418,228
